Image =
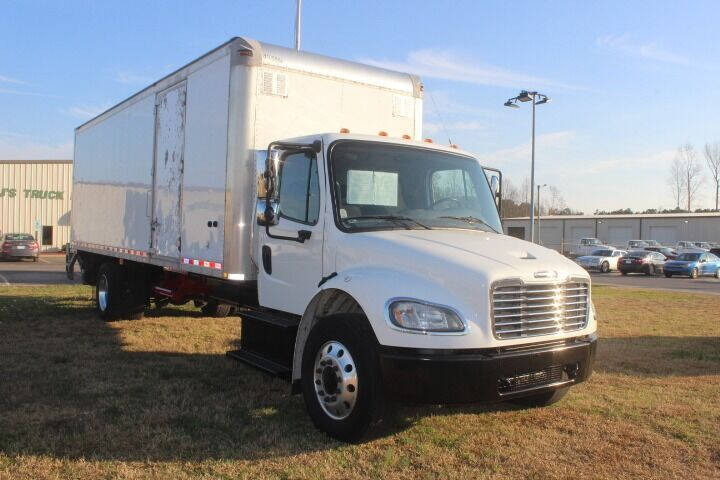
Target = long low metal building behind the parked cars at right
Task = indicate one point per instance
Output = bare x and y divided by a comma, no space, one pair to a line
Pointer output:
562,233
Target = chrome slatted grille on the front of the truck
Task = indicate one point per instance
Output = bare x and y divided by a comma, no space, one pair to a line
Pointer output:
520,310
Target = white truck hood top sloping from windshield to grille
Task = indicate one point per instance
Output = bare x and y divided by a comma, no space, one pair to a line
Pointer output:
465,255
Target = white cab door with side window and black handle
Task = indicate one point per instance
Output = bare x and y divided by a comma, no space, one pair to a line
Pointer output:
290,269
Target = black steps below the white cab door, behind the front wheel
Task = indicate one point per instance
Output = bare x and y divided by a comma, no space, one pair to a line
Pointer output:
267,341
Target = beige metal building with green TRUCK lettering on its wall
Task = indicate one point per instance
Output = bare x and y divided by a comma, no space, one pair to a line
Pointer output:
35,199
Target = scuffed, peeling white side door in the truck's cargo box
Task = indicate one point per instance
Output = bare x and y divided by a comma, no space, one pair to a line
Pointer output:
168,171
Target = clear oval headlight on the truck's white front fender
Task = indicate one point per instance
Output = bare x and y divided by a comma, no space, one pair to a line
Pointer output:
424,317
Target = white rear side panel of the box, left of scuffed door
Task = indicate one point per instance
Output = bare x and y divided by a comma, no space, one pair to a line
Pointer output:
113,178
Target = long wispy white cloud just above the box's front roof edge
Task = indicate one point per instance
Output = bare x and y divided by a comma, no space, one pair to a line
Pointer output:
447,65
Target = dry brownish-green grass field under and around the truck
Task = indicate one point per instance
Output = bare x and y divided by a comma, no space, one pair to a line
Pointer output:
80,398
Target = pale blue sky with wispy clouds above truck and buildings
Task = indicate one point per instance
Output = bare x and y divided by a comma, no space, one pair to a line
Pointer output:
629,81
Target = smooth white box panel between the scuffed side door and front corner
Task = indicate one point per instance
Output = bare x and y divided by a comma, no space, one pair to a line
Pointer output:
203,195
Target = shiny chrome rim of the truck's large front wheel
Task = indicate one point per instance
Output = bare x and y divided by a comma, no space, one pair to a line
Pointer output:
335,379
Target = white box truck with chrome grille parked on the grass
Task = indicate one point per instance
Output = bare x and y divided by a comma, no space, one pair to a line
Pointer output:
368,267
